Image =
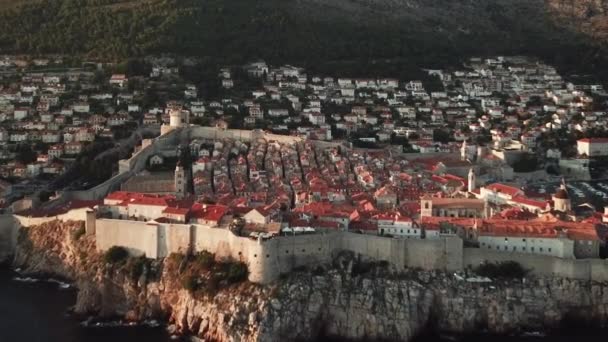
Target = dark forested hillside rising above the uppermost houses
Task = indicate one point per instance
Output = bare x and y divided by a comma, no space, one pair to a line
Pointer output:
313,32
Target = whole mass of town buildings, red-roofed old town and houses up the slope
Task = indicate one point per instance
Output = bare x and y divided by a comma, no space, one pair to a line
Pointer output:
405,158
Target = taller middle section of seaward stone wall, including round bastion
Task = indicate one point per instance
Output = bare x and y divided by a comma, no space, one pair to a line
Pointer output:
267,260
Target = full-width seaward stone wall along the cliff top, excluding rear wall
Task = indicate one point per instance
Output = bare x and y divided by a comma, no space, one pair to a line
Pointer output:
268,259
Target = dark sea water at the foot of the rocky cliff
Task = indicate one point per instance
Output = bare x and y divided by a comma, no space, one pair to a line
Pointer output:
37,311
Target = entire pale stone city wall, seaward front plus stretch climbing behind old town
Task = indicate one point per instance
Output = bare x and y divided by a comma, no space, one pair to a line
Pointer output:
267,259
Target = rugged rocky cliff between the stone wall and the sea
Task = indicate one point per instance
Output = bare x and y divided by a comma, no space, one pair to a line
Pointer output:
349,298
